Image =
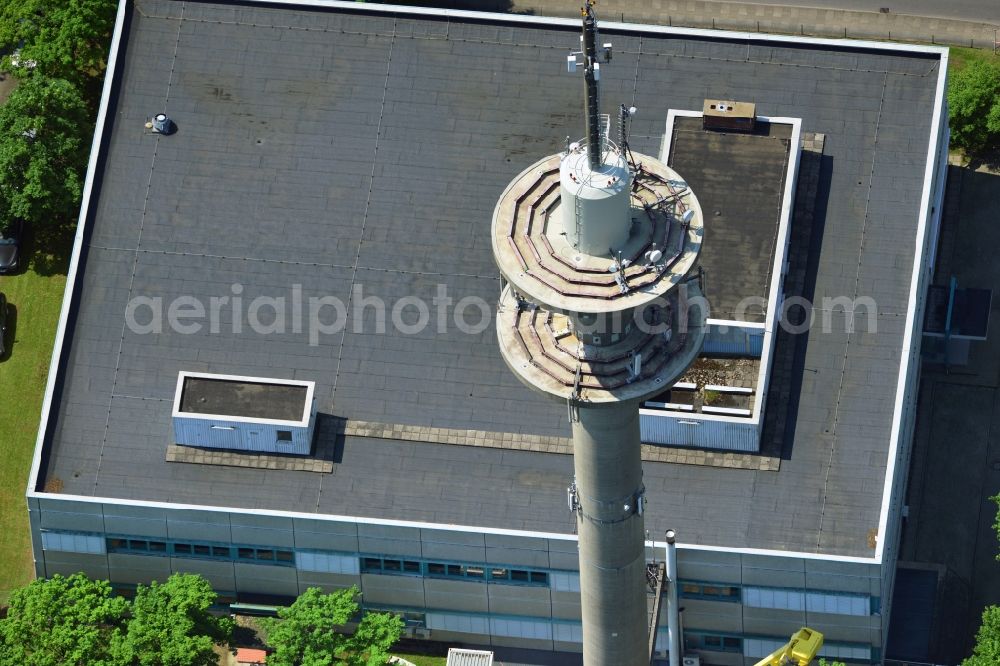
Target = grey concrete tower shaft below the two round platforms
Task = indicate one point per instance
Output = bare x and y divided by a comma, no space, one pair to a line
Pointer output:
608,465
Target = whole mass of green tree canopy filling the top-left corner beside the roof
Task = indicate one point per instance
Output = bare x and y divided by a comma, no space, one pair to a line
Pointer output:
57,50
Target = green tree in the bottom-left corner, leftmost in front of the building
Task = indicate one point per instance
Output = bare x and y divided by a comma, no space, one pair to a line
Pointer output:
62,622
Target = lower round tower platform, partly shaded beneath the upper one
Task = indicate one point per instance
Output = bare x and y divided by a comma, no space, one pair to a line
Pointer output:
543,351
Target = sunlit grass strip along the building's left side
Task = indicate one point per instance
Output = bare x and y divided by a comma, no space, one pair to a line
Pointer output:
35,299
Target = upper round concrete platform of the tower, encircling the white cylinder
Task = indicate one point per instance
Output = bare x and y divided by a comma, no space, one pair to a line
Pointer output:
533,252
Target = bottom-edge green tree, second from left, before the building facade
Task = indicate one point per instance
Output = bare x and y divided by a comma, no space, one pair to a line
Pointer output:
170,625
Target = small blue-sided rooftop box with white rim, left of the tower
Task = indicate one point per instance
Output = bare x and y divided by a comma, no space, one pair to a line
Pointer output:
244,413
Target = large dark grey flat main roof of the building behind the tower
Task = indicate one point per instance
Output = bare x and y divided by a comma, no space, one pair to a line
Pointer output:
327,150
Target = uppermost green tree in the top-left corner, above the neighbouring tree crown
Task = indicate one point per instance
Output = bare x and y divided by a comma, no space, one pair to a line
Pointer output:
64,39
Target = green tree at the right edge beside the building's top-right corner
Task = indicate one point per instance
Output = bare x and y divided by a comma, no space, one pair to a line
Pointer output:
974,106
